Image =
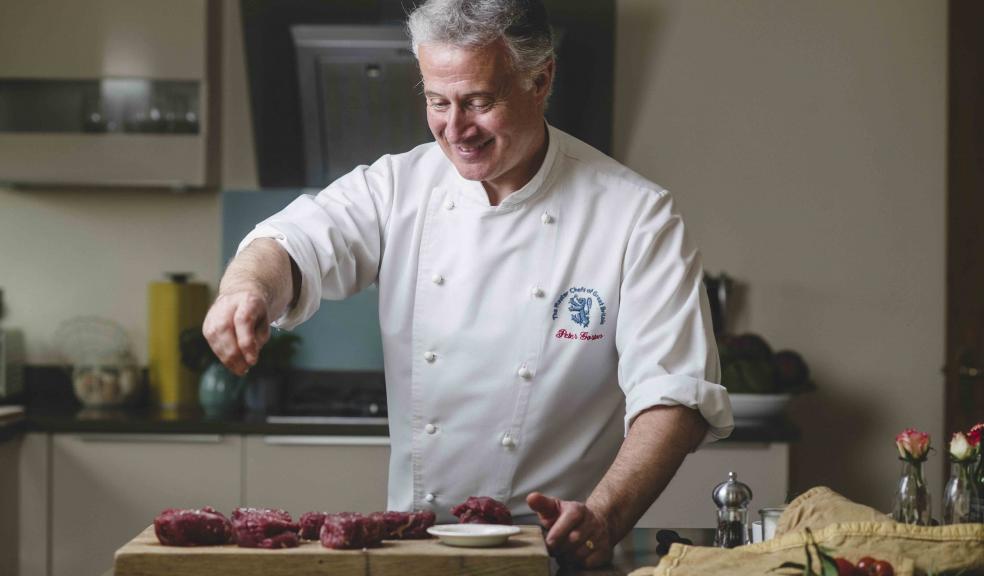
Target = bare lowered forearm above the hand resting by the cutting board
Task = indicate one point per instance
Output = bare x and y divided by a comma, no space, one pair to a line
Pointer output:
657,443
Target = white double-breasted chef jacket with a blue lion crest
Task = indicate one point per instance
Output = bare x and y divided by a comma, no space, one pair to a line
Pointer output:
519,340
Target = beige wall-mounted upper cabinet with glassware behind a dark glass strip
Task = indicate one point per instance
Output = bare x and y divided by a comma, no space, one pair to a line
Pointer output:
106,92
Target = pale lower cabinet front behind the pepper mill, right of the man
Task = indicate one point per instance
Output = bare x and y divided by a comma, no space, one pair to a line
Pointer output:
686,502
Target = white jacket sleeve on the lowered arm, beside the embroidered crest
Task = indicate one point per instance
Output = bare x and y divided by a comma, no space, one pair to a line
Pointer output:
665,340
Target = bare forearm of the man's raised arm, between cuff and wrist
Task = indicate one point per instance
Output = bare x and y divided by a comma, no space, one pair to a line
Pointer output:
266,267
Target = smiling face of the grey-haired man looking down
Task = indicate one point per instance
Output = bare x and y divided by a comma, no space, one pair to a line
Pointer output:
487,119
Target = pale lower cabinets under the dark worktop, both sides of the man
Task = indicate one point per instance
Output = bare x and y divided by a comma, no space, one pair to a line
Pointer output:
79,497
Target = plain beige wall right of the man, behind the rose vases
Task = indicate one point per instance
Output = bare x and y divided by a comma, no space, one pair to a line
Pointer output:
804,142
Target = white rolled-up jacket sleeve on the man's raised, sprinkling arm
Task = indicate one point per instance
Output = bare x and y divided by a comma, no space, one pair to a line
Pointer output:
336,238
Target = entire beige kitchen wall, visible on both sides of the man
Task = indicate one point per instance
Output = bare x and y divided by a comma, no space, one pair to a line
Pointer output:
803,140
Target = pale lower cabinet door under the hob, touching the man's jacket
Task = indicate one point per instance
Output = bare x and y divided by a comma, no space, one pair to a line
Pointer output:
306,473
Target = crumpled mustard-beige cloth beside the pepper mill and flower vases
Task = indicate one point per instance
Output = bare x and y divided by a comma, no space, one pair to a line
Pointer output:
849,529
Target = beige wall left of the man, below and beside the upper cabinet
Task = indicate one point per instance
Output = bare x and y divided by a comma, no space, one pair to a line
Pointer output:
93,252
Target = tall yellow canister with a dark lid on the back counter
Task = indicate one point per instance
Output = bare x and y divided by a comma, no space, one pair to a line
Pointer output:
173,307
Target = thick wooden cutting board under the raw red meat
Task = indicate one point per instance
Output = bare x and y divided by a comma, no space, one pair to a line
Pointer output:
524,555
